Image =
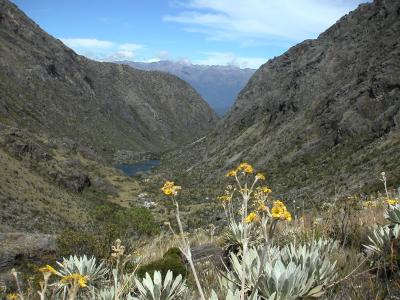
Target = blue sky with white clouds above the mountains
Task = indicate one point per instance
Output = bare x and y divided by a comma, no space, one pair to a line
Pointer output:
245,33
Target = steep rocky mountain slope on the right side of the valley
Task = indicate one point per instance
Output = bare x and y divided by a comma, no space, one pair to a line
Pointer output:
321,119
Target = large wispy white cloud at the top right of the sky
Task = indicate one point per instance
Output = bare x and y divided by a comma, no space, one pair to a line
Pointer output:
261,20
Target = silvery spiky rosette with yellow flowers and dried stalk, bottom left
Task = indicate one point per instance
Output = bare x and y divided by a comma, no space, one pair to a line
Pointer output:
84,278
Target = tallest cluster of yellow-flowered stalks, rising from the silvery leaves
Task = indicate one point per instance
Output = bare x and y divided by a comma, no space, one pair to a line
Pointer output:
262,220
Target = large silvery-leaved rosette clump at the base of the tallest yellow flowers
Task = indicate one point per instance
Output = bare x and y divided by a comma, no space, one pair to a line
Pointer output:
290,272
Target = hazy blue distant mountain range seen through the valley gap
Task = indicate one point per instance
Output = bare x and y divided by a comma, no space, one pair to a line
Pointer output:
218,85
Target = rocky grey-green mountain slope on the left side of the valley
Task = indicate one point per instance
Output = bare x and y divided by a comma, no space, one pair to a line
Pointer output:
46,87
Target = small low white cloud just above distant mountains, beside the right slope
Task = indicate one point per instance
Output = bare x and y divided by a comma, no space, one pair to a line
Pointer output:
228,58
